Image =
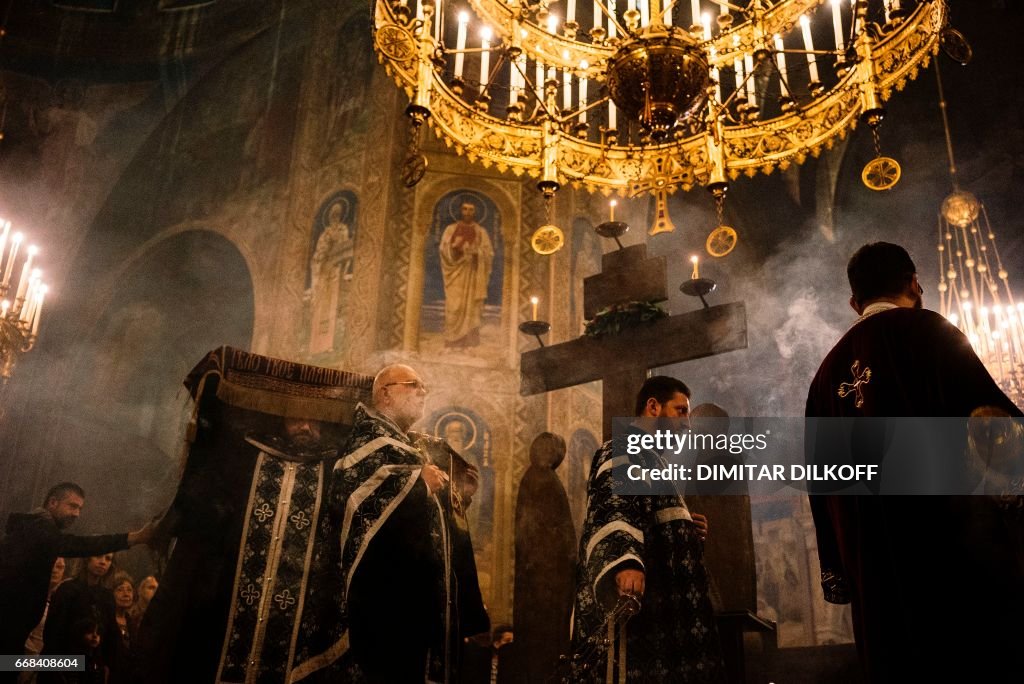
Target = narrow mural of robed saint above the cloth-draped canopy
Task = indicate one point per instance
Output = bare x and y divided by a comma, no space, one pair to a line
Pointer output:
330,266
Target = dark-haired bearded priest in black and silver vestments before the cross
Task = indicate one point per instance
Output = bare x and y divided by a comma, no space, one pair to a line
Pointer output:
650,547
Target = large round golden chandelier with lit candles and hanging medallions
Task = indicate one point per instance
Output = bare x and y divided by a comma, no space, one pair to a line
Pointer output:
635,97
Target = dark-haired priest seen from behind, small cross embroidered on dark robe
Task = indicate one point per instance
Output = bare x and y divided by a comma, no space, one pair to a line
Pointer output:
936,587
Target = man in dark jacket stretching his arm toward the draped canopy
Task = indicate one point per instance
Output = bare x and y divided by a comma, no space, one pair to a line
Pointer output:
31,545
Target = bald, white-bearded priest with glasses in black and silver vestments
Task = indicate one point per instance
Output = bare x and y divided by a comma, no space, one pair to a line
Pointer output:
389,540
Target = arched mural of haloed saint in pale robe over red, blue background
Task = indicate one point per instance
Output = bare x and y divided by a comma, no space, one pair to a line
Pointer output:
463,289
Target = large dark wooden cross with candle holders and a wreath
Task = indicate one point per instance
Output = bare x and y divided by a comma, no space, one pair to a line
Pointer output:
622,361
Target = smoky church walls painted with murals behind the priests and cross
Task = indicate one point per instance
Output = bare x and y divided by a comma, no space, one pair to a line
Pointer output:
201,174
